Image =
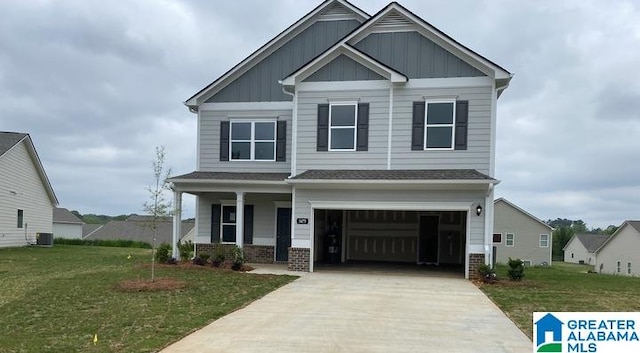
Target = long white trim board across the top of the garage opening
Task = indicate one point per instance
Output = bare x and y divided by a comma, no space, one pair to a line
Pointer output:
396,206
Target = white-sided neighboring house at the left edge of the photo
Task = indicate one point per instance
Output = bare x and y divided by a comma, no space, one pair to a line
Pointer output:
27,199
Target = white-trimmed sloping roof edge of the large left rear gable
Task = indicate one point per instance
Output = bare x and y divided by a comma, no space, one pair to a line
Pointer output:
267,48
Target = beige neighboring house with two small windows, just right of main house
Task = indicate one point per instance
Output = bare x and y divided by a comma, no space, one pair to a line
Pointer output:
520,235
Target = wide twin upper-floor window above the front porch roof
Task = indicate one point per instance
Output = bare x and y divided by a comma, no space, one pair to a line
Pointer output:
253,140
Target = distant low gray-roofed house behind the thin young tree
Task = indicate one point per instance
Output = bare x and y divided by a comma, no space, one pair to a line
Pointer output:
138,228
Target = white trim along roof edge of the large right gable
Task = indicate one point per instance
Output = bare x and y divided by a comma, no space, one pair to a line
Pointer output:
435,35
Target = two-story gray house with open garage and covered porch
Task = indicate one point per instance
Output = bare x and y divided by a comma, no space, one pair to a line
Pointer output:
349,137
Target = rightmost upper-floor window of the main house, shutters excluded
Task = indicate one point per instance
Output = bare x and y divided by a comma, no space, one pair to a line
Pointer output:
439,132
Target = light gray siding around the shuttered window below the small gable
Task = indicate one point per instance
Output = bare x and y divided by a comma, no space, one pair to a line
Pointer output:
374,158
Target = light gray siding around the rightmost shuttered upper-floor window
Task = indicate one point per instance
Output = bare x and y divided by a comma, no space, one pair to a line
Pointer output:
478,152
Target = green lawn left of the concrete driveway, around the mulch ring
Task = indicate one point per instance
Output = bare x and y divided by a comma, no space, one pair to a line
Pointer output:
56,299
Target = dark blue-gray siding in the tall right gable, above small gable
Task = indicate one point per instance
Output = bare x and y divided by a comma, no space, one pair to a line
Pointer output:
415,56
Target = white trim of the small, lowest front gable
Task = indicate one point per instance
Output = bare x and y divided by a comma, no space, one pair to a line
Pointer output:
343,49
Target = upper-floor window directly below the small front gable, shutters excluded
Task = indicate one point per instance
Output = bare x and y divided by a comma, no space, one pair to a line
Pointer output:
342,126
